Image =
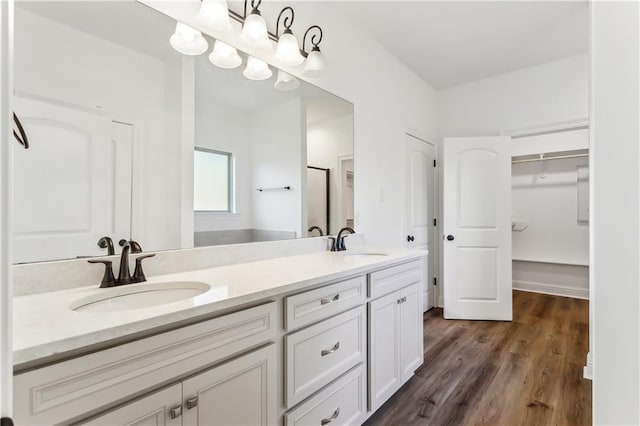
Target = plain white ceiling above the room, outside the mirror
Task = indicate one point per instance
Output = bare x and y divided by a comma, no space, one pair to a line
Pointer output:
448,43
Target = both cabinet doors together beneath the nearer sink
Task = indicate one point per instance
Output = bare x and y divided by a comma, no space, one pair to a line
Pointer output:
240,392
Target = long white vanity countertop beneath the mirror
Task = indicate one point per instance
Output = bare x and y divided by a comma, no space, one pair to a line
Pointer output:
44,325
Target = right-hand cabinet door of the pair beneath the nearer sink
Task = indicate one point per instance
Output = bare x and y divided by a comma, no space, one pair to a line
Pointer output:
240,392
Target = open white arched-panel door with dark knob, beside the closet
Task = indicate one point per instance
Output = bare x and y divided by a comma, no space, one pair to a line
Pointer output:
477,228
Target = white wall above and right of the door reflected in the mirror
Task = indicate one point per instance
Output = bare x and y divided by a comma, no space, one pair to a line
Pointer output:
60,63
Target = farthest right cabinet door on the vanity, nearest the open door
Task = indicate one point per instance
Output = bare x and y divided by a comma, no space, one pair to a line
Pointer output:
411,346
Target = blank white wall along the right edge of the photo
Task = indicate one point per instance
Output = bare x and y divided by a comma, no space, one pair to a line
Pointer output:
615,211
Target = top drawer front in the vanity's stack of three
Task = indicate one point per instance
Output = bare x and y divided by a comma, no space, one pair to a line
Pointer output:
312,306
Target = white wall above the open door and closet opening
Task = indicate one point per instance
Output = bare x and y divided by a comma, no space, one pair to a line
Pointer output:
548,93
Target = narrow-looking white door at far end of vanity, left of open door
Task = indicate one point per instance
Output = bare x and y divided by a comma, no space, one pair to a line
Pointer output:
420,202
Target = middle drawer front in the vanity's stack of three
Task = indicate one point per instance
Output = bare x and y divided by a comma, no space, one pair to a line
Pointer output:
319,354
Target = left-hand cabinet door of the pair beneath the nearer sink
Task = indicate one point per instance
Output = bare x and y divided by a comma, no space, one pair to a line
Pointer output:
162,408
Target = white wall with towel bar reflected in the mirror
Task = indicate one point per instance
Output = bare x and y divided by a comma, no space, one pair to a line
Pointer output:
278,153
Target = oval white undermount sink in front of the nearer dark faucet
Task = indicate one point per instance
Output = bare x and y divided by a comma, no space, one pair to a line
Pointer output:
139,296
